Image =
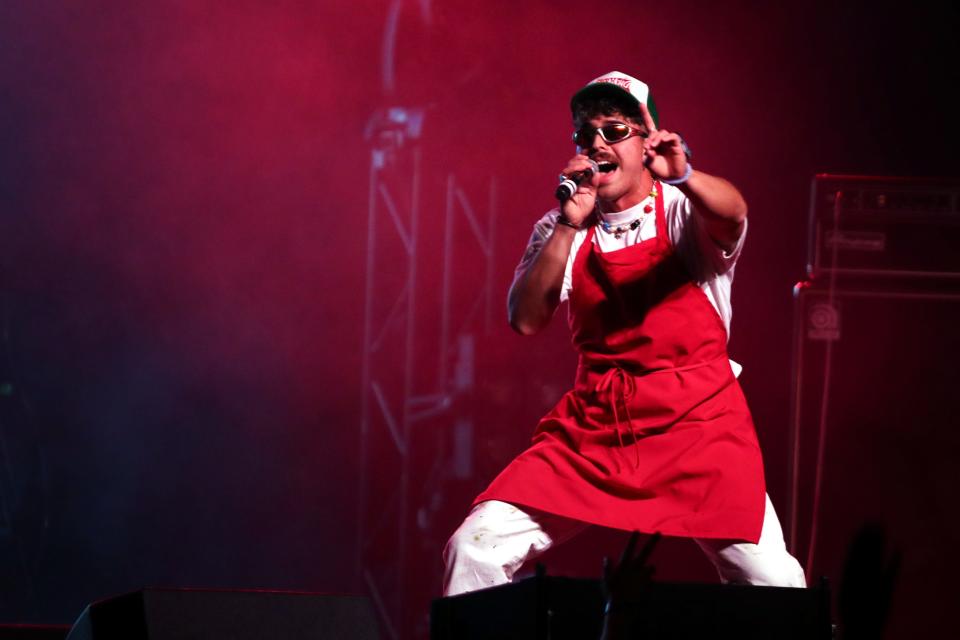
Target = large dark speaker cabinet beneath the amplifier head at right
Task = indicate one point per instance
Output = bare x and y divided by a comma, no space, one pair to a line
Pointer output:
876,427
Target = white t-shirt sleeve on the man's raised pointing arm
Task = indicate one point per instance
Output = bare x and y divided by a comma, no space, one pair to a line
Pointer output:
689,234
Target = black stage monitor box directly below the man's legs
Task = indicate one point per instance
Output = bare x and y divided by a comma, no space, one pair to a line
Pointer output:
557,608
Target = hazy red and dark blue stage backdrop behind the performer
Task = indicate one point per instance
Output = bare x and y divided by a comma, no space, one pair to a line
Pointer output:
183,219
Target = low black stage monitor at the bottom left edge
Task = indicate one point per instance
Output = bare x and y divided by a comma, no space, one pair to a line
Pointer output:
182,614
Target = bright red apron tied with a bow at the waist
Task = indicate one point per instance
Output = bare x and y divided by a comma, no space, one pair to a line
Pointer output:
656,434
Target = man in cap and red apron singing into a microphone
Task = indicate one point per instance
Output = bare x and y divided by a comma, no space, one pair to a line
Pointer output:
656,434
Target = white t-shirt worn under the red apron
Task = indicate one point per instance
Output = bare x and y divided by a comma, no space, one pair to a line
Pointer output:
708,263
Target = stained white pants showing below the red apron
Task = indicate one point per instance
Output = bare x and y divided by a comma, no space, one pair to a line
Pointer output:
496,538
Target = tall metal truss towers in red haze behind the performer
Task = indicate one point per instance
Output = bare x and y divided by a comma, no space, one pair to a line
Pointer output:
391,489
